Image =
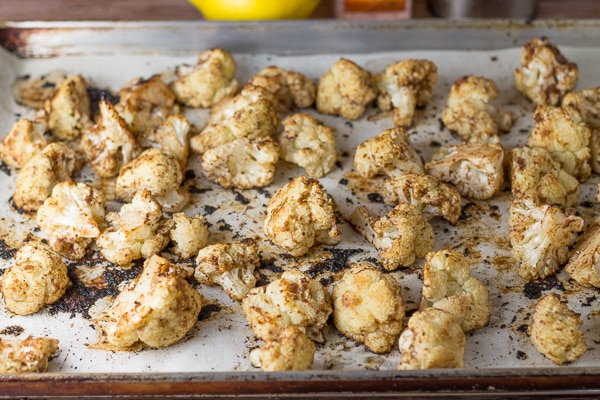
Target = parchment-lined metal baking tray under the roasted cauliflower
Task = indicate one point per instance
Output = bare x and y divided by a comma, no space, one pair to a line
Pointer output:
212,362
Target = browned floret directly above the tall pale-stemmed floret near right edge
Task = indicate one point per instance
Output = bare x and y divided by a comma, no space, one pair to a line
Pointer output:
536,176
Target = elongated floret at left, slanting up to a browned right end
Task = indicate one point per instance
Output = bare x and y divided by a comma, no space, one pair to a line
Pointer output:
54,164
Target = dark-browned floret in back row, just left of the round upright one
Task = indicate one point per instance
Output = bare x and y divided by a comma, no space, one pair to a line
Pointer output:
291,88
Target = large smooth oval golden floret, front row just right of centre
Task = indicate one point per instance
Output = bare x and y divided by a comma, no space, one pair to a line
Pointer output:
368,307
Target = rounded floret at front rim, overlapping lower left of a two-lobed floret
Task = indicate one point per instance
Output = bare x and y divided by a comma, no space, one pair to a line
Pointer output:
433,339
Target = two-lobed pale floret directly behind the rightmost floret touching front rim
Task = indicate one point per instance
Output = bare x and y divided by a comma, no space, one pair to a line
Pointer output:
448,285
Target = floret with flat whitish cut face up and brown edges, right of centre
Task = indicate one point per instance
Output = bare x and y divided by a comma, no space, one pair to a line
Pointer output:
475,169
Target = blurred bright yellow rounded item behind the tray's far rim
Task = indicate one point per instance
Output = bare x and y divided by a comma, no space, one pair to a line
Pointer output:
238,10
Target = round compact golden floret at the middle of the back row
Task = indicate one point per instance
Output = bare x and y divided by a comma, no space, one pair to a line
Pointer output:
345,89
